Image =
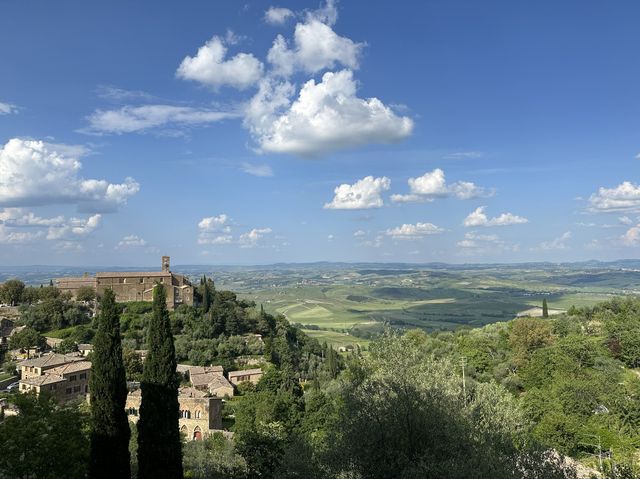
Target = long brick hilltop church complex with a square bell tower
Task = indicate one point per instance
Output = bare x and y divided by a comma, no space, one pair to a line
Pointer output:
136,285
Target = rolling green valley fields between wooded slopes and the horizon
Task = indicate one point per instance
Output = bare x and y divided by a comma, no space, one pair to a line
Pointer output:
343,306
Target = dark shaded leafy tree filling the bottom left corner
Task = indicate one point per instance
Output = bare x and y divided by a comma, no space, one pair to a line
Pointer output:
44,441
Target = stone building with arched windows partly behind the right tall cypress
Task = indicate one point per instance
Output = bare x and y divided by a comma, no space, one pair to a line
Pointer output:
200,415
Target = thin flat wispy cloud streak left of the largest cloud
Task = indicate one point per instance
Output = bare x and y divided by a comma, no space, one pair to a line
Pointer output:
131,119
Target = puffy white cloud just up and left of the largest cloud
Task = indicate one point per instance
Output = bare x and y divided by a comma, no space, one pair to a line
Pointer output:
210,67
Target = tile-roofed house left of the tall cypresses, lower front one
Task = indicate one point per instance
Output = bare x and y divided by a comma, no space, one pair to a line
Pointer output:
66,382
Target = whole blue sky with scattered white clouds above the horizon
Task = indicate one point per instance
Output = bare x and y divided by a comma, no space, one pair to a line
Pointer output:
257,132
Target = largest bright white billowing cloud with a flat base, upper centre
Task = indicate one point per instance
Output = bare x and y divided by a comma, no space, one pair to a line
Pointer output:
326,116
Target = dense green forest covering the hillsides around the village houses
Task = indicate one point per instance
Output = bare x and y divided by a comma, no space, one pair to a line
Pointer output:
508,400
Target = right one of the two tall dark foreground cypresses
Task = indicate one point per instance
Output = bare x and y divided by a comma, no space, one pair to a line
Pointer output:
159,443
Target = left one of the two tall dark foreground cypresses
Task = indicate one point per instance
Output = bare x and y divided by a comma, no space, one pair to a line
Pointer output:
109,424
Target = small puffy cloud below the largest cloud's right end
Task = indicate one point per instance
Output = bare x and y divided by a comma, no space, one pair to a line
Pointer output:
363,194
